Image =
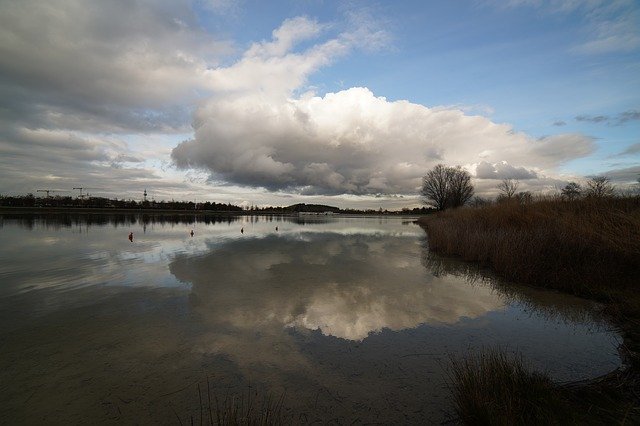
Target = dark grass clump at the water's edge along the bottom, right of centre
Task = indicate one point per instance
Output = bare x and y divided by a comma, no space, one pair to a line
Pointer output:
493,389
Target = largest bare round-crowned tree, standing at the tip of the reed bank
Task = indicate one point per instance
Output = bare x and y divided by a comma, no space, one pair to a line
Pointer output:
447,187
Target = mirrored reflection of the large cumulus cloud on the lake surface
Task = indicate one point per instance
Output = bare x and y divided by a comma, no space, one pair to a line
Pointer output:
345,287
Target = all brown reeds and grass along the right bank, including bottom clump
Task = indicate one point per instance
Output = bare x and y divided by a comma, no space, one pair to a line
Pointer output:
588,247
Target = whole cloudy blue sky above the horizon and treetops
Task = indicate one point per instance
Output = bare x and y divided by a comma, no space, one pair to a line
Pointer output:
346,103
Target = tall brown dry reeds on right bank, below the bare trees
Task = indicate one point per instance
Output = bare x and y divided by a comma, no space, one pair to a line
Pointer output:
589,247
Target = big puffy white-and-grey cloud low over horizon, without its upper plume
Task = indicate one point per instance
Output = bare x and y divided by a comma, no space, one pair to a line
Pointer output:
354,142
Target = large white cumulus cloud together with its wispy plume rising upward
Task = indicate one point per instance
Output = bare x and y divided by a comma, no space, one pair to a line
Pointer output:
259,132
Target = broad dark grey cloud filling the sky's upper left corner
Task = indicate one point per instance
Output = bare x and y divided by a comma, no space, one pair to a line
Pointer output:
114,65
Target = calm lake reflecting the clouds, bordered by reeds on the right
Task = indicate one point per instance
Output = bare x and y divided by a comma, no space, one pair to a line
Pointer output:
345,319
